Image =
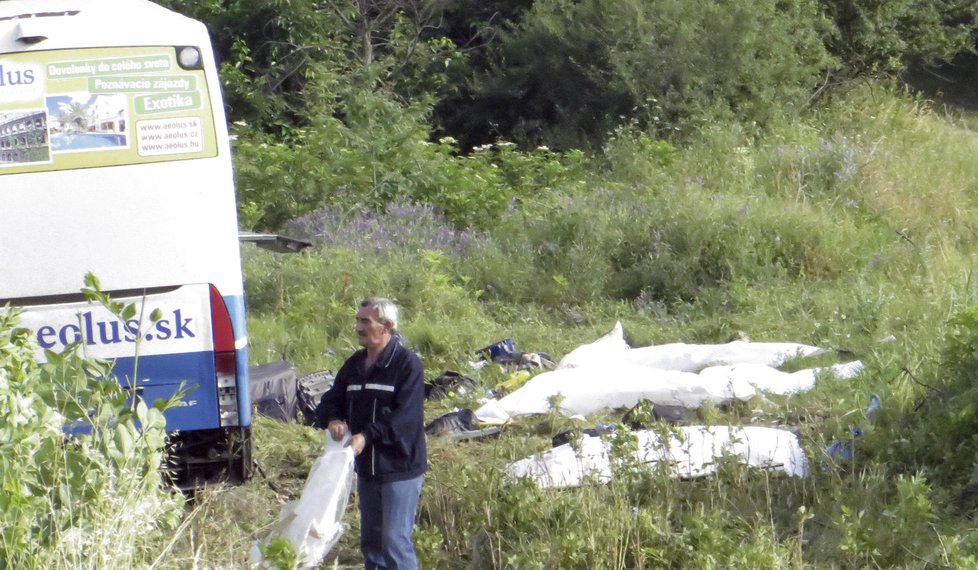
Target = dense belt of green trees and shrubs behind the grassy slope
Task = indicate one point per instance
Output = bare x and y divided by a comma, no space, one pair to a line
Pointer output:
358,103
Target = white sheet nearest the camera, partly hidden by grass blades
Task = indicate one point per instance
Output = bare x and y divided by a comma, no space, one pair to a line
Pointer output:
688,451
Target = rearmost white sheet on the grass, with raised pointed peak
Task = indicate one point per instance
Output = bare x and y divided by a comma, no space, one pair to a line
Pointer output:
682,356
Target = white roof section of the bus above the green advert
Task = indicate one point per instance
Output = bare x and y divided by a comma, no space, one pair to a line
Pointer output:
56,24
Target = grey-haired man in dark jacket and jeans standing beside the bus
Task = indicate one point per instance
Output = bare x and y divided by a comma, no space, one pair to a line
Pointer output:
378,398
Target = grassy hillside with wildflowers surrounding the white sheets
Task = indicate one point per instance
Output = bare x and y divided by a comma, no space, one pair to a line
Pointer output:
852,229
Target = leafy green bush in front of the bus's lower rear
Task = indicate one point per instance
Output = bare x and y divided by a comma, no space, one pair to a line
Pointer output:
92,500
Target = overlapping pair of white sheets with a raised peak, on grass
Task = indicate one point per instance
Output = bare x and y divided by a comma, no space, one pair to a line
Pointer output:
599,376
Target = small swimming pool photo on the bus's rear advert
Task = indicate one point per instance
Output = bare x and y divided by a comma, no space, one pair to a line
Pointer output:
81,122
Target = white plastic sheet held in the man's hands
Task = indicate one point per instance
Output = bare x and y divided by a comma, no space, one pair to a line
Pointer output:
312,524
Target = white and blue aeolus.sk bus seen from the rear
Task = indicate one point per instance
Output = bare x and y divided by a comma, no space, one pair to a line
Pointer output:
115,160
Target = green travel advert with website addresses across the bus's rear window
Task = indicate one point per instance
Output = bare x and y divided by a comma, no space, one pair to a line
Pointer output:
99,107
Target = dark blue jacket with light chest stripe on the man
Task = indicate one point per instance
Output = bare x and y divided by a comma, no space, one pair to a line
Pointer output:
386,405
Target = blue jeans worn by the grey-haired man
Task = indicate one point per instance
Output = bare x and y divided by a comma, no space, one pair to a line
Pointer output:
387,513
